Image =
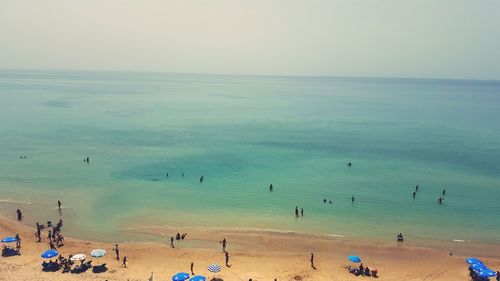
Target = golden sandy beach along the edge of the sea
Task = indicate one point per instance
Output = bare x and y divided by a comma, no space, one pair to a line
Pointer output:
260,256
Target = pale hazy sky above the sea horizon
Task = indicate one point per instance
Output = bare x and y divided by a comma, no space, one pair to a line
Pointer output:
396,38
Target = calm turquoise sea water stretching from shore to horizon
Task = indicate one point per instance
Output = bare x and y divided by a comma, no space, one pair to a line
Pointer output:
243,133
